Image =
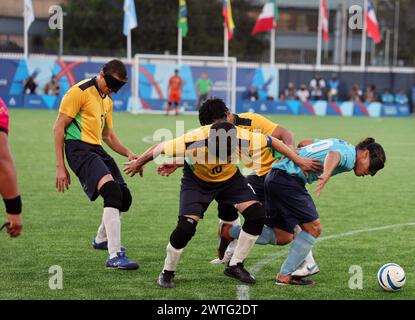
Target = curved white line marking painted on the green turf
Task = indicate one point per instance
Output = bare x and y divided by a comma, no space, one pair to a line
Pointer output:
243,290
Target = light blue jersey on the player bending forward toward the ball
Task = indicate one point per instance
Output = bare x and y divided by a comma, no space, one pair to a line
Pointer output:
319,150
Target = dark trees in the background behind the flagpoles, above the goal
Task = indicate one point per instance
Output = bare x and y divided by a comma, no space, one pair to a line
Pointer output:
95,27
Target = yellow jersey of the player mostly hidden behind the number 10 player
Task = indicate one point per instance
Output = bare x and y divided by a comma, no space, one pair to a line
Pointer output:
257,123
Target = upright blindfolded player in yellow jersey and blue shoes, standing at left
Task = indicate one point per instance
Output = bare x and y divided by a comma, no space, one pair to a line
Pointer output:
84,120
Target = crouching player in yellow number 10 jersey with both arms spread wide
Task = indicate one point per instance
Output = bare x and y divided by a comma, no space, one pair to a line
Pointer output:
210,173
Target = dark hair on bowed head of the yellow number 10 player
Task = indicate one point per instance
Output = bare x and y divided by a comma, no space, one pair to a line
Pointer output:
216,141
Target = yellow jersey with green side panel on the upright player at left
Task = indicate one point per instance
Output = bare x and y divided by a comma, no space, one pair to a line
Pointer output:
90,111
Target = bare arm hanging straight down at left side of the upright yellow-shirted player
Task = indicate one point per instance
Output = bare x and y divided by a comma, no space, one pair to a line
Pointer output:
63,179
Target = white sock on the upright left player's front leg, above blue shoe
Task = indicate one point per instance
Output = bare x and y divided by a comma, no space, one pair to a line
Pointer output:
112,224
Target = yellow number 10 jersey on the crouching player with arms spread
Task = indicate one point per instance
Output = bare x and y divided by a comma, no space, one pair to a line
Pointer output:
193,146
